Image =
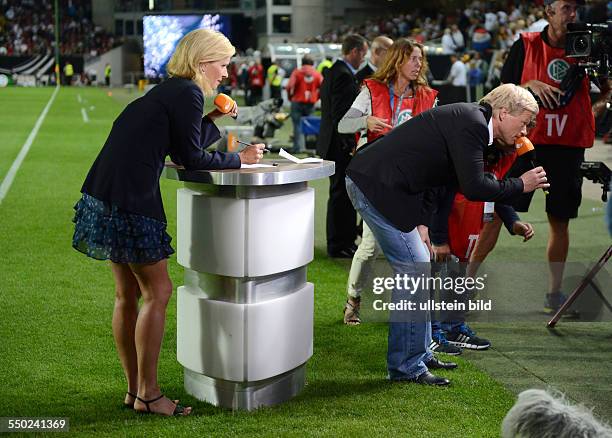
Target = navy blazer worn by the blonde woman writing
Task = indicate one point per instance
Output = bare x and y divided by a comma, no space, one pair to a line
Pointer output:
166,121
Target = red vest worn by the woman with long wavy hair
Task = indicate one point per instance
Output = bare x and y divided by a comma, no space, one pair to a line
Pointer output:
381,104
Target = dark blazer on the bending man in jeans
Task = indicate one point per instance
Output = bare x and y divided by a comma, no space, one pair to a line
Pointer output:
444,146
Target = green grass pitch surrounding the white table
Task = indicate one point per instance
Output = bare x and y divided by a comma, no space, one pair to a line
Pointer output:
57,356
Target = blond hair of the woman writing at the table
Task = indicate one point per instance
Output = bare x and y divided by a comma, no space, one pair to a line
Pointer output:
200,45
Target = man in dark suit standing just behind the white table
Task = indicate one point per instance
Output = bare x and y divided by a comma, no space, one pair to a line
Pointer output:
338,91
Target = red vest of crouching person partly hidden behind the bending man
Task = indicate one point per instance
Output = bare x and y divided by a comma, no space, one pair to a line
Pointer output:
465,220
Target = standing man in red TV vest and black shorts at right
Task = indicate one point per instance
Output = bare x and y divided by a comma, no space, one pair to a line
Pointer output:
563,130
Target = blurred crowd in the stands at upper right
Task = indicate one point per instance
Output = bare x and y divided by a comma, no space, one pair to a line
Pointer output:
474,34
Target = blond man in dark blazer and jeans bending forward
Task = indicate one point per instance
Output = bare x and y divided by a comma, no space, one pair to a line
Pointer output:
390,181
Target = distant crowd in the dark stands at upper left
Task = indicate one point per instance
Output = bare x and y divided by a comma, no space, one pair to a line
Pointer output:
27,27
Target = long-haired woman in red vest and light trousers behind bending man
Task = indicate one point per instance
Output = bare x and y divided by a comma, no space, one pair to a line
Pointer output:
396,92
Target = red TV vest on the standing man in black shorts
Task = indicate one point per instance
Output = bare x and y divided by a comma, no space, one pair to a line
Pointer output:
572,125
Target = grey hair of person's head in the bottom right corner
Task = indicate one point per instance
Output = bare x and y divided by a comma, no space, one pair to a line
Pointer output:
538,414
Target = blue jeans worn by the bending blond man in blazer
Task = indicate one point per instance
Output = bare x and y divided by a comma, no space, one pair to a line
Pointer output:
409,331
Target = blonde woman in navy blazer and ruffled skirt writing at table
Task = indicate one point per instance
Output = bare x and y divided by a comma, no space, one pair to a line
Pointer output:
120,216
